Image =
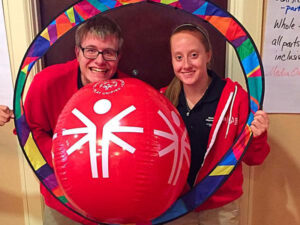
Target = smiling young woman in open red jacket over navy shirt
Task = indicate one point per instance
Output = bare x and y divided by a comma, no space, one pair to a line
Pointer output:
214,111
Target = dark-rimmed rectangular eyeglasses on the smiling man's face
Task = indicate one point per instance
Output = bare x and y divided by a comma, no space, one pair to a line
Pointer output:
107,54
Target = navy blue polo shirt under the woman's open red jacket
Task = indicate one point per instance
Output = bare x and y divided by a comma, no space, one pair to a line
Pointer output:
199,120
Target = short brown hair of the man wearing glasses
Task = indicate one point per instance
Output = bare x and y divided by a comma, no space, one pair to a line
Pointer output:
99,26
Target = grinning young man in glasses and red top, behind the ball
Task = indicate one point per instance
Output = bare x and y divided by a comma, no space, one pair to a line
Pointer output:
98,47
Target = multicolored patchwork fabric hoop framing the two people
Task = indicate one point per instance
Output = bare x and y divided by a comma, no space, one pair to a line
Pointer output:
83,10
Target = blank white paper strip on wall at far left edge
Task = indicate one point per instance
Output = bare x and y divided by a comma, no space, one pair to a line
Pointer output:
6,85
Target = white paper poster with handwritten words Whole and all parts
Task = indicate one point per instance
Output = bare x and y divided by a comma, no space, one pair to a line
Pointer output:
281,56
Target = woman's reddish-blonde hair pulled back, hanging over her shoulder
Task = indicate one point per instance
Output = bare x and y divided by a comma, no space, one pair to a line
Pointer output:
174,88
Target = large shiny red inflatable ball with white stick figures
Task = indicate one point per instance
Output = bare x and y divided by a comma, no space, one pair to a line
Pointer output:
120,152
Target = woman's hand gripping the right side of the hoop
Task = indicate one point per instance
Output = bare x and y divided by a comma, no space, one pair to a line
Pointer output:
260,123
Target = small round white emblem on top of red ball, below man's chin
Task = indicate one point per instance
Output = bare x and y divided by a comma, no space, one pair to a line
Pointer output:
108,87
